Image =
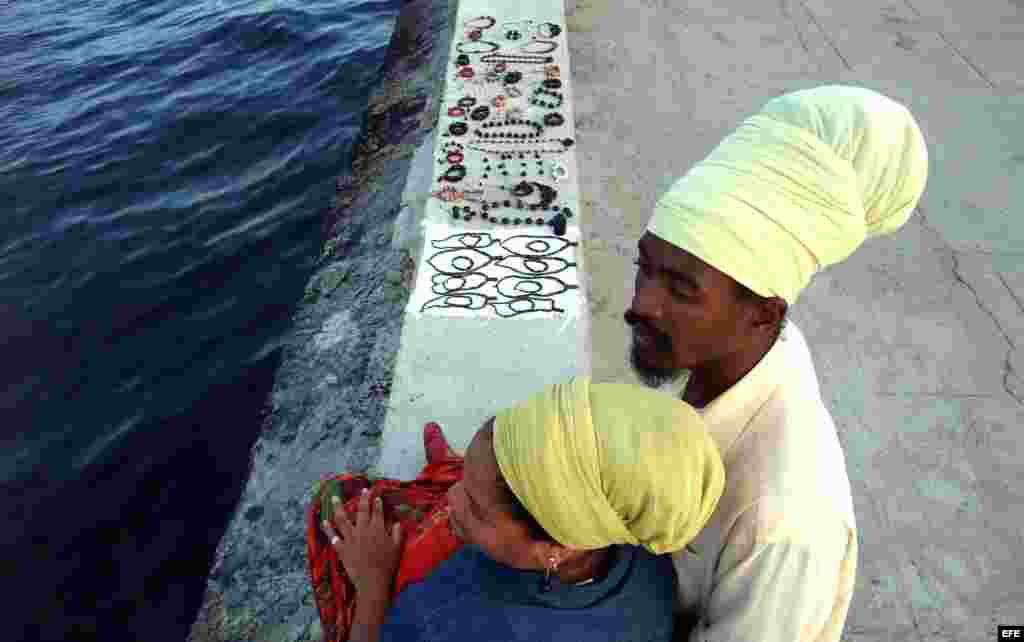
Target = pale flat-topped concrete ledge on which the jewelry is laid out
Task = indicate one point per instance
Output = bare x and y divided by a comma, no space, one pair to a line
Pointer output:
459,367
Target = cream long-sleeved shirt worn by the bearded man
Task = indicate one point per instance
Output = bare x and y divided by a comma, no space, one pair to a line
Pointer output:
778,561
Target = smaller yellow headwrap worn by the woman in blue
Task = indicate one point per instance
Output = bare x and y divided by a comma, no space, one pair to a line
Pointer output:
605,464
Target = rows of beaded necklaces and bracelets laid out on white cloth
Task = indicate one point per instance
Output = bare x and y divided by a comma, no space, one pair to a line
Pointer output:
504,176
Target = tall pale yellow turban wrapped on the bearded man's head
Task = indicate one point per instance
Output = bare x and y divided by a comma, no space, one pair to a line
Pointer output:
798,188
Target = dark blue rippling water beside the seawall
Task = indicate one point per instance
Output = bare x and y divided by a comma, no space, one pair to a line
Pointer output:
165,169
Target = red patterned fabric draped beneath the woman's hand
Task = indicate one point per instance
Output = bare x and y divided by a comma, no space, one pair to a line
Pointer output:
421,507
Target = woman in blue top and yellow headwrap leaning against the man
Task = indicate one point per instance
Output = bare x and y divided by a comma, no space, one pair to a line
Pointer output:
567,503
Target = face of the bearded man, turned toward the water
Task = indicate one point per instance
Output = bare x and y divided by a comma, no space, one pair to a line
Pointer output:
685,314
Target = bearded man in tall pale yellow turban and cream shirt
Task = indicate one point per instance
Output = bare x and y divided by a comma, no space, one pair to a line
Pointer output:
730,248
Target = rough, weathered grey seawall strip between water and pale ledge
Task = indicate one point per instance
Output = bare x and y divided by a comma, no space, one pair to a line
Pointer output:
330,396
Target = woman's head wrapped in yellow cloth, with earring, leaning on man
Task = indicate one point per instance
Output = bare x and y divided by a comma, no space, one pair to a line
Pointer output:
593,466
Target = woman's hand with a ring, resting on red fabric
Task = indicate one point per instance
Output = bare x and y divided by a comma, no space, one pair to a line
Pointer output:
370,555
